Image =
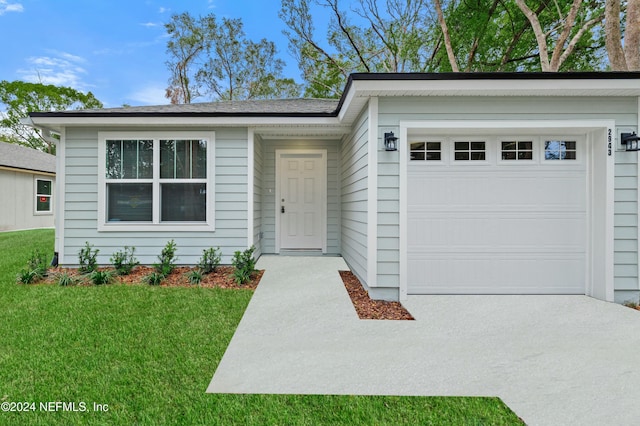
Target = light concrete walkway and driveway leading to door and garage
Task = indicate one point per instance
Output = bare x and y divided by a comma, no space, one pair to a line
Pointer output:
554,360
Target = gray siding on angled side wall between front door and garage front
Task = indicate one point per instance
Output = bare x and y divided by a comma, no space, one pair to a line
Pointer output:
354,172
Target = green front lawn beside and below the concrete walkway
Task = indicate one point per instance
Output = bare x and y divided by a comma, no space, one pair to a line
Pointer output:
149,354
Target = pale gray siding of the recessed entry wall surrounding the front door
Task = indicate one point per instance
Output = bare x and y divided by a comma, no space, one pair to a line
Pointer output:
269,192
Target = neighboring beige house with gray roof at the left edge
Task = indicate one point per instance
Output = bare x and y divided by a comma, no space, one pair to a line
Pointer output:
27,188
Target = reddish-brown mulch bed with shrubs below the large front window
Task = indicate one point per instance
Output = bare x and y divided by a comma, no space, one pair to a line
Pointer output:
220,278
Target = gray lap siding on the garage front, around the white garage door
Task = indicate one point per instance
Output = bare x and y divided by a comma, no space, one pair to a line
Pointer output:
622,110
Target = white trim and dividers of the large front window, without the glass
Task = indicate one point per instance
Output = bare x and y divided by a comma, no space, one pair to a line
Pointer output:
156,225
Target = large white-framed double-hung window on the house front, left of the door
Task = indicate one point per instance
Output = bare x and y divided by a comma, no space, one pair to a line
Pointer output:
154,181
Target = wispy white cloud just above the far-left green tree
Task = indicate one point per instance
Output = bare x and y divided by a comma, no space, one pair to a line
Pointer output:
60,69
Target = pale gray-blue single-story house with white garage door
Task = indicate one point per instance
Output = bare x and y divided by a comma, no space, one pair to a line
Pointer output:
501,183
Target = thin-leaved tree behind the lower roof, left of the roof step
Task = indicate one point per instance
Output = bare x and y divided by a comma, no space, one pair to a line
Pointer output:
215,58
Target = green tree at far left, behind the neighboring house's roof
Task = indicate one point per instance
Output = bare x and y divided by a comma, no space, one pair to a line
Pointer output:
20,98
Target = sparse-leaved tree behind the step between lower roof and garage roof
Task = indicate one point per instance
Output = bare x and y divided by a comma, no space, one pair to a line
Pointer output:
394,39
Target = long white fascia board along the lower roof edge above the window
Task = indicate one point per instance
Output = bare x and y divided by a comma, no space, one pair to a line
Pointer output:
166,121
